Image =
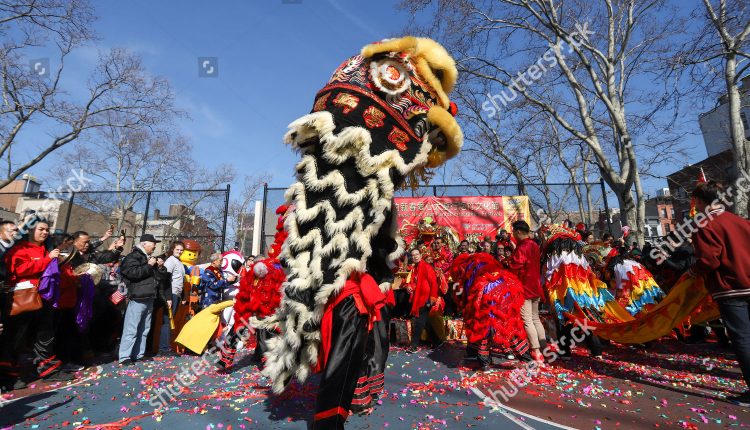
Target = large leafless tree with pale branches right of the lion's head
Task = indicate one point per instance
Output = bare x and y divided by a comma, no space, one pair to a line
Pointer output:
584,62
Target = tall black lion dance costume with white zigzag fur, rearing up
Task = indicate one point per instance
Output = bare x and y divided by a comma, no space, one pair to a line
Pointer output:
383,117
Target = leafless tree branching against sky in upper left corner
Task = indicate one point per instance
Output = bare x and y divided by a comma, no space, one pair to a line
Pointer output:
119,94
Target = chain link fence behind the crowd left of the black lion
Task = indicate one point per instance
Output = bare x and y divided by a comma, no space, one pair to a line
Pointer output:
169,215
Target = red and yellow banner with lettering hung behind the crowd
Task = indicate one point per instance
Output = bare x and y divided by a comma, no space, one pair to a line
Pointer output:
470,218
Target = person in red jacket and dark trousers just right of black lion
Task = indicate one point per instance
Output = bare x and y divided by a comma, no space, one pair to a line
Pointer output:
423,290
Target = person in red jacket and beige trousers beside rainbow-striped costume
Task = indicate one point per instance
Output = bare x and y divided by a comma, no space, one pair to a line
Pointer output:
525,263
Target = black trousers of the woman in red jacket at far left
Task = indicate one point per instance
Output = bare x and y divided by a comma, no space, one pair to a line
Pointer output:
40,326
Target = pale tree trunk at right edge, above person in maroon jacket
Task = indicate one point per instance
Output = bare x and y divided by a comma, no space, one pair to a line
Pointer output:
740,145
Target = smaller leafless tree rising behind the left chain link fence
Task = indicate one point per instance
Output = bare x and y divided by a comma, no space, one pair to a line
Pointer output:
132,162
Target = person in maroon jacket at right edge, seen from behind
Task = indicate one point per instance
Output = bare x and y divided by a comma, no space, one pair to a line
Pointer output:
723,260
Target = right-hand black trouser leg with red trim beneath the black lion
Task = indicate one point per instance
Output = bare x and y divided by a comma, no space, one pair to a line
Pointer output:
372,378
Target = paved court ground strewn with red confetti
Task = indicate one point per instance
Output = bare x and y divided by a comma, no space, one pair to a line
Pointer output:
669,386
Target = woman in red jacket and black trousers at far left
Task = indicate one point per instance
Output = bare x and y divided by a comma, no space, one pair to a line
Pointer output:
26,262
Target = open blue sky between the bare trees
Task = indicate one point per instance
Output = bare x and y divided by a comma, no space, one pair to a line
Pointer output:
273,56
